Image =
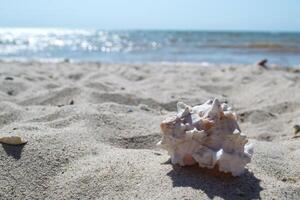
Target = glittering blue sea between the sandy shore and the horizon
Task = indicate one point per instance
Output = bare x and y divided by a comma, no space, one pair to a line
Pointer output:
149,46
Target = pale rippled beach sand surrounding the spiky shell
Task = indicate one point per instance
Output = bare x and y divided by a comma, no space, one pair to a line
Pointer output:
92,129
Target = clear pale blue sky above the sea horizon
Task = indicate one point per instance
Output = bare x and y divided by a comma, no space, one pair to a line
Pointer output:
242,15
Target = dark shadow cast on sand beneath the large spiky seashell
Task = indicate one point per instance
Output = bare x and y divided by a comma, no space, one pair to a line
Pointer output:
216,184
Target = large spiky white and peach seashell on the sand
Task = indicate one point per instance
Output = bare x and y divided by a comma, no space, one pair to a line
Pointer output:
207,135
